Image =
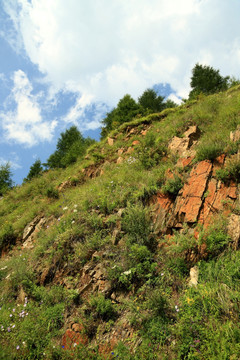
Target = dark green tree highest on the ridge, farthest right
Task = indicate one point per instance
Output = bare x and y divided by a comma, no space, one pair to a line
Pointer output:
206,80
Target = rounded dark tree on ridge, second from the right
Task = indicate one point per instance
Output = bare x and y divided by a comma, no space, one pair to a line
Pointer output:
149,100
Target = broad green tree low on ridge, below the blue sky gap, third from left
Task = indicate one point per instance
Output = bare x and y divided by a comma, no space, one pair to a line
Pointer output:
70,146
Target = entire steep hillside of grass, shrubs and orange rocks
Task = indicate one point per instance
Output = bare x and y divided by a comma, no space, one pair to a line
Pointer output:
132,253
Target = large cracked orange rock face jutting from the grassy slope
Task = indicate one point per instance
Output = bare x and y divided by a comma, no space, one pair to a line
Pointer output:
201,198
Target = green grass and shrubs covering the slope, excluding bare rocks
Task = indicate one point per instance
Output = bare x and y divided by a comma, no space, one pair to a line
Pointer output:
172,320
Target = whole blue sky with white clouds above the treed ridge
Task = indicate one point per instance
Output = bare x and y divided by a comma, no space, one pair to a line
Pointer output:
68,62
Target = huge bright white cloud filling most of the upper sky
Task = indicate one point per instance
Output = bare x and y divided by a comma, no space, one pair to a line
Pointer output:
104,49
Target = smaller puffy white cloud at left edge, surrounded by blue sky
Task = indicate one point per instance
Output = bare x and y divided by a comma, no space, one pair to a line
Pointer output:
23,123
